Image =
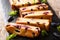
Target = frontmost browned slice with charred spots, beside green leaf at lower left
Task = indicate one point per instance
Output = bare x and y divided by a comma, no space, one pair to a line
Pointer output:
23,30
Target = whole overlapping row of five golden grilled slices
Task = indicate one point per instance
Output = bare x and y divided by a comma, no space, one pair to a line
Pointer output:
34,17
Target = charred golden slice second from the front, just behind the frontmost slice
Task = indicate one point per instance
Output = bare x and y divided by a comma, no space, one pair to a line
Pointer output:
42,23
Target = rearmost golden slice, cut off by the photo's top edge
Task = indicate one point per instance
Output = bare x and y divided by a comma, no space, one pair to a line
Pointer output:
19,3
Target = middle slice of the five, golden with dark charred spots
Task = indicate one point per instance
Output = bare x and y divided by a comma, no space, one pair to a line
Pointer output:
46,14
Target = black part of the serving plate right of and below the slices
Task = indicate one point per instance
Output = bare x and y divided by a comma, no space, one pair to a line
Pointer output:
51,32
